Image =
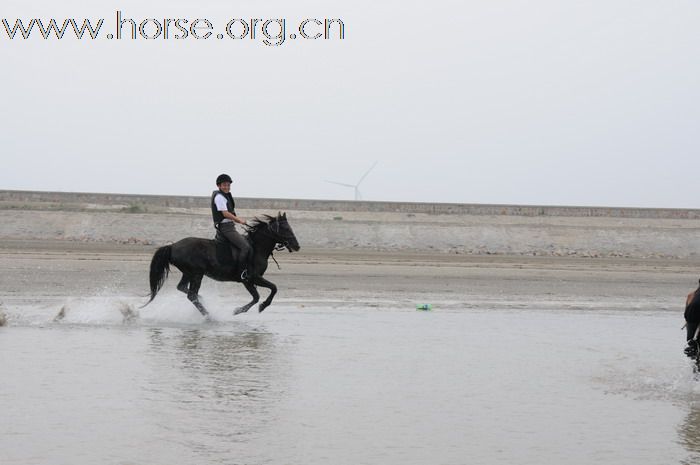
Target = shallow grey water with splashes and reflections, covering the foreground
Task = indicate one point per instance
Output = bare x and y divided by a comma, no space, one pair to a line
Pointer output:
346,386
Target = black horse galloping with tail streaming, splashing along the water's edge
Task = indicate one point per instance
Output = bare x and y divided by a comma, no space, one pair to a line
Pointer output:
197,258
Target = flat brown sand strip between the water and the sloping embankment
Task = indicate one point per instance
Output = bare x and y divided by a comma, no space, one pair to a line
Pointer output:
50,271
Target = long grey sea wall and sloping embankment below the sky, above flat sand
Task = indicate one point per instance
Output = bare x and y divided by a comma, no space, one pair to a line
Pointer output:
156,220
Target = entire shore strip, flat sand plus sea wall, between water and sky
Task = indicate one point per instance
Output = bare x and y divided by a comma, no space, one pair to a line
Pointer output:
56,246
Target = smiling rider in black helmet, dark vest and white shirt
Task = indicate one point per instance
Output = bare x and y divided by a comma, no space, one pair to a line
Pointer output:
223,211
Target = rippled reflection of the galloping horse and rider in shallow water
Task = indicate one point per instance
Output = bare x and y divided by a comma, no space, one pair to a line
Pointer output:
214,388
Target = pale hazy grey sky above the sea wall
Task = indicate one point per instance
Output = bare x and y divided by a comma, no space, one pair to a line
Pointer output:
523,102
